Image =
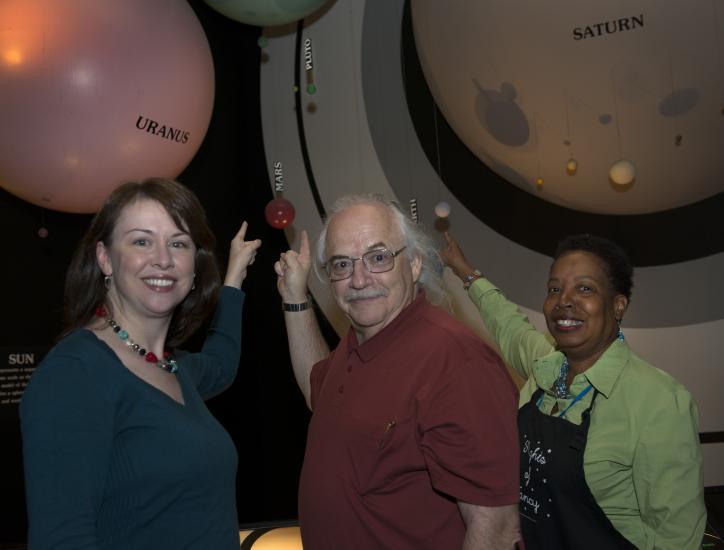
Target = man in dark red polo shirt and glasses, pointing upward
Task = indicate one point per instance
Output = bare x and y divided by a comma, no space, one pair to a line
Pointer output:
413,441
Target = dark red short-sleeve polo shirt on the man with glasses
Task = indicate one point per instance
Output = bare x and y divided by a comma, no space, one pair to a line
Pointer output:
421,415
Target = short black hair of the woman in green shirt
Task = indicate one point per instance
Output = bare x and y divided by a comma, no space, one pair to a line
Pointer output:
614,258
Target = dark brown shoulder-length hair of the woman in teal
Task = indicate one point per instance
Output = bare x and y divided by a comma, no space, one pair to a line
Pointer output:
84,288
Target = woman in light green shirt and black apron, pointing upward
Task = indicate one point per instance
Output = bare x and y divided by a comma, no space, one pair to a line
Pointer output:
610,456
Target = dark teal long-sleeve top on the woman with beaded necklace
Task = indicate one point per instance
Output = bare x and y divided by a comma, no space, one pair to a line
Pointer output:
112,462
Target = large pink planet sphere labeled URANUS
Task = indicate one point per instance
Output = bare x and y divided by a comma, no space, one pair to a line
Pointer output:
95,93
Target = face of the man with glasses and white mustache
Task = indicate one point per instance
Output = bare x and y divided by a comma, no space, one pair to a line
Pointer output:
371,300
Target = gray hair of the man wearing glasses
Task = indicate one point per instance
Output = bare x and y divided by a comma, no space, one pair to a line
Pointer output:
418,243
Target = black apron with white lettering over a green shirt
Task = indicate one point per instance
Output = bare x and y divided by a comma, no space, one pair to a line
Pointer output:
557,509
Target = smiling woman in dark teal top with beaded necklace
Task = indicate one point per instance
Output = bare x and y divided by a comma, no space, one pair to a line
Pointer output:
120,451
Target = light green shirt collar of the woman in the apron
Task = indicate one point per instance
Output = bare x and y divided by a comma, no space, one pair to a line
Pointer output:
603,375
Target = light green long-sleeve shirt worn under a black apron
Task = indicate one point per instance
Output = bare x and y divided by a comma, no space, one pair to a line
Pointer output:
643,460
